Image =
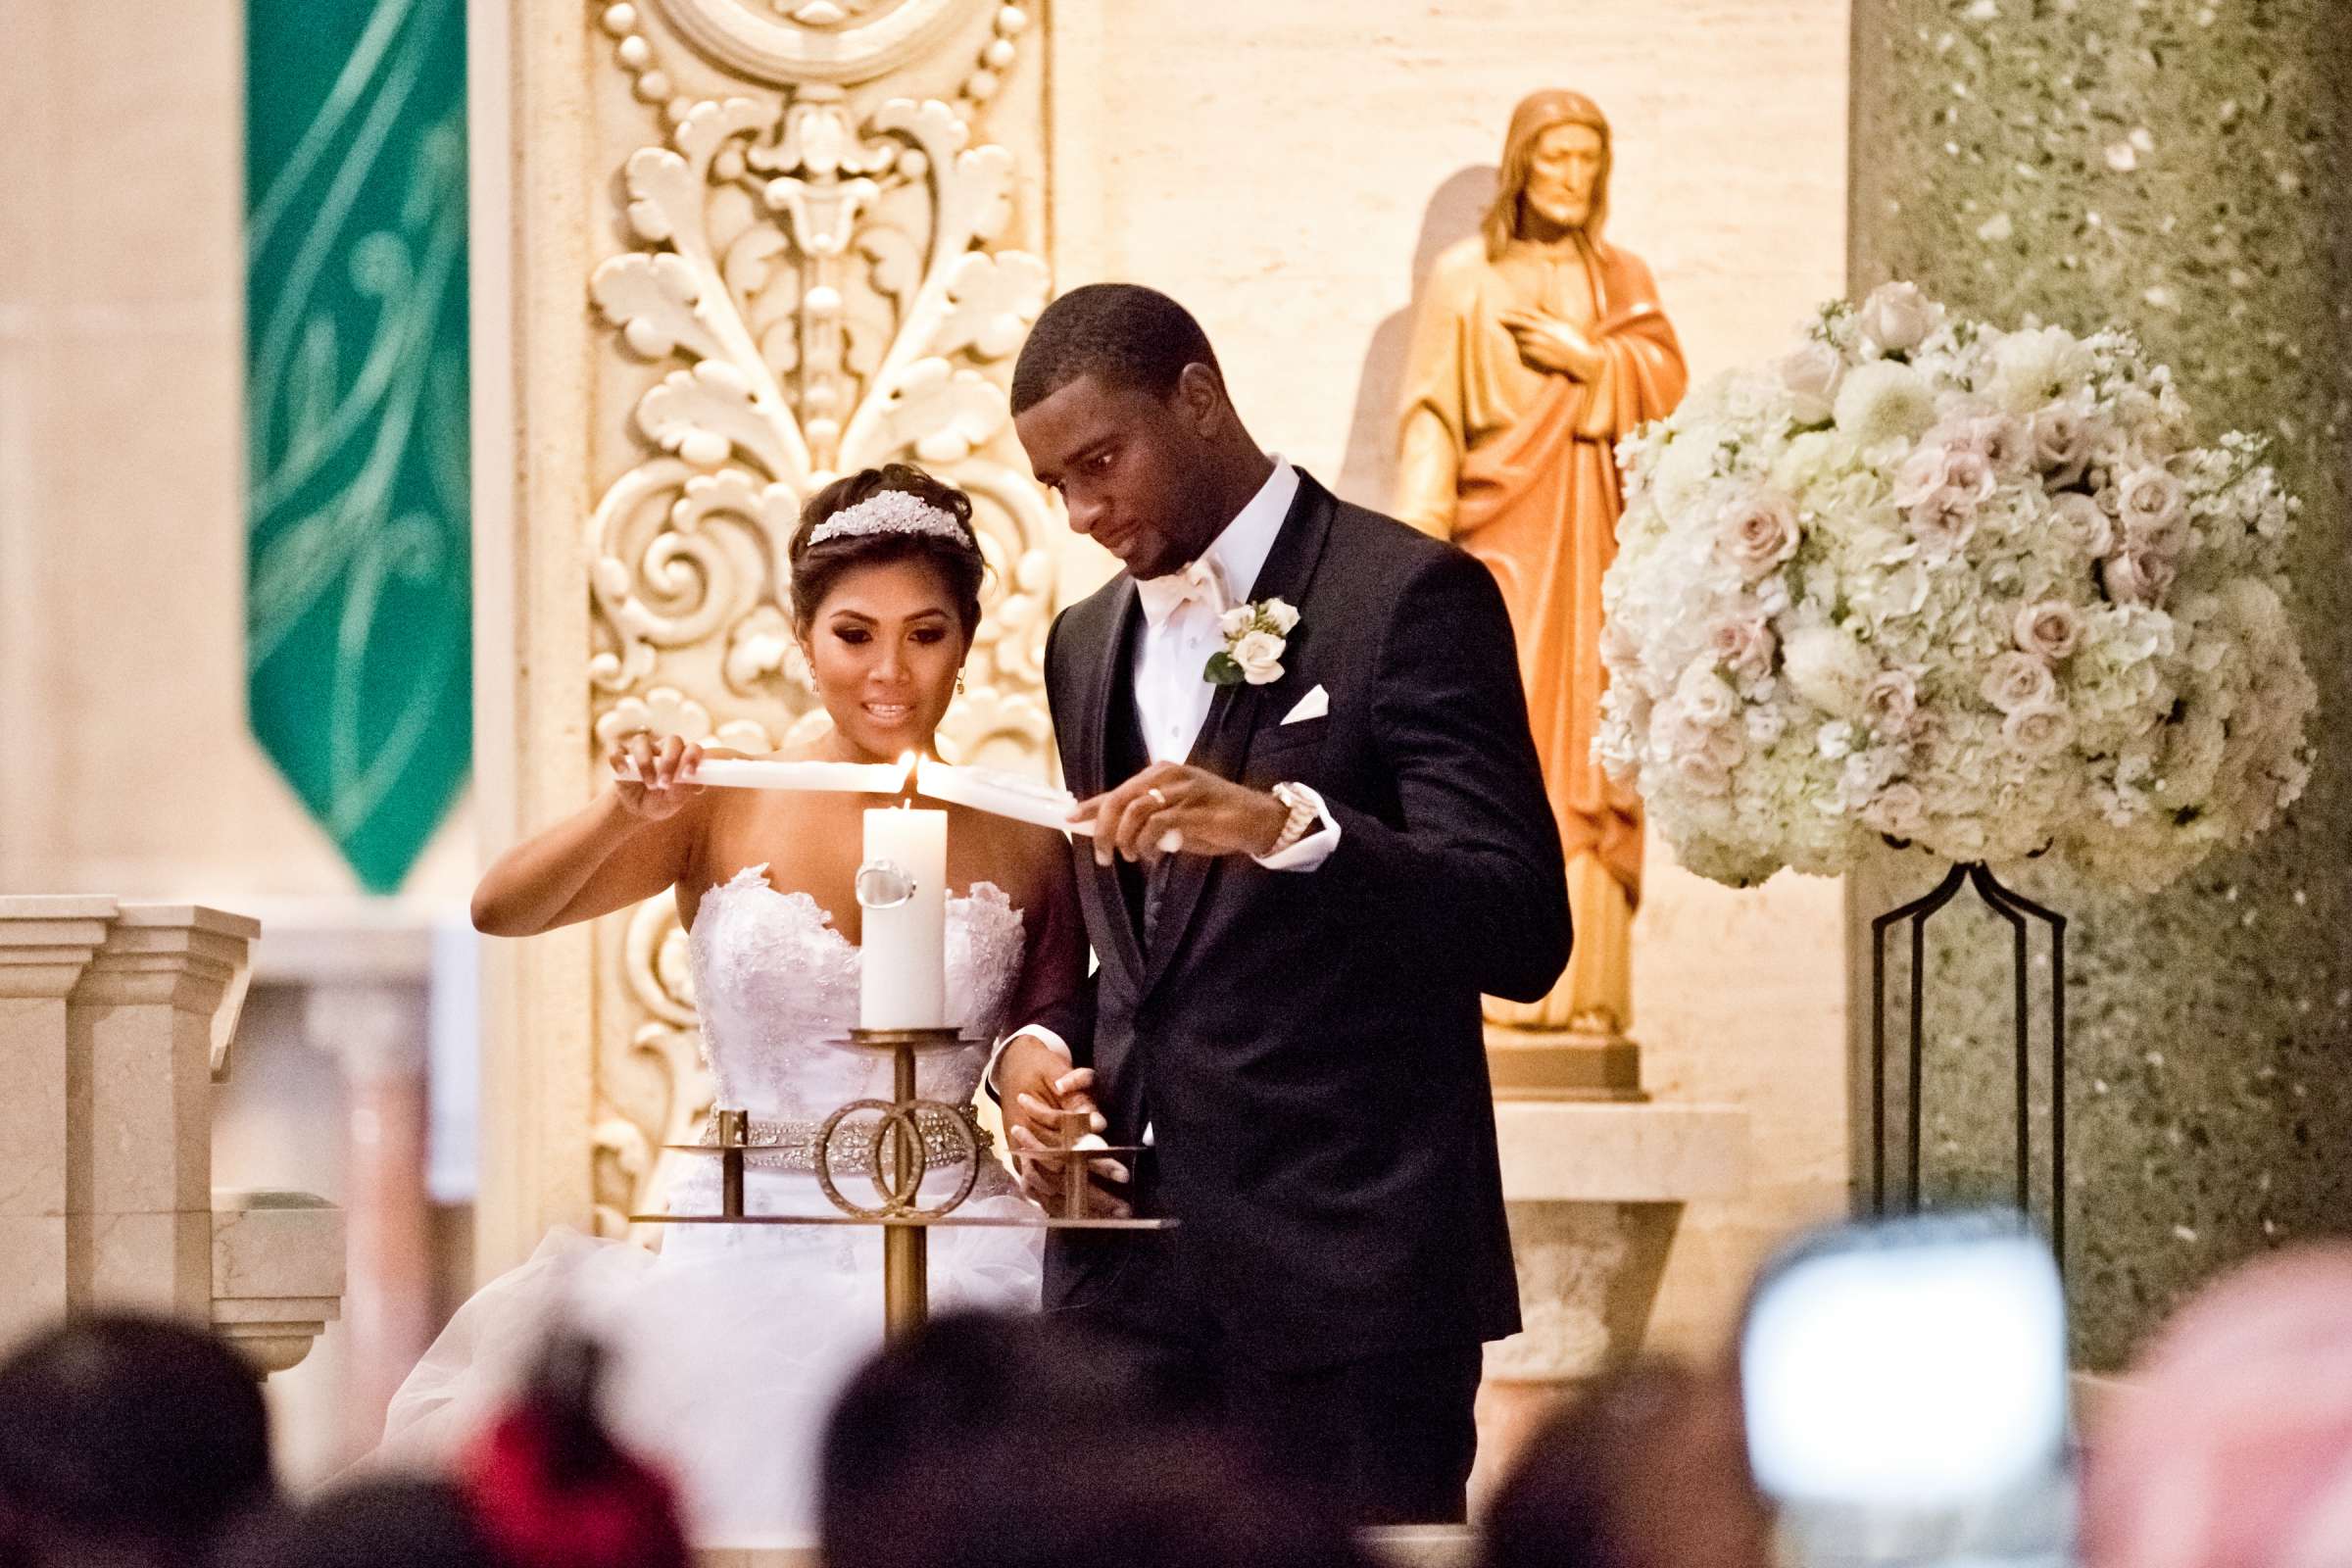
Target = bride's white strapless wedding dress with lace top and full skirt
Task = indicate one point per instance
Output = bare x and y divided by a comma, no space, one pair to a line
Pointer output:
733,1343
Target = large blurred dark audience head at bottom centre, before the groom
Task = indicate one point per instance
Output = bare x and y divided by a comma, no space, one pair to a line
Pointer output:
1034,1445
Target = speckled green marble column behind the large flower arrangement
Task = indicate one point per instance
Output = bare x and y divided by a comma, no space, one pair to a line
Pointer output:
2172,166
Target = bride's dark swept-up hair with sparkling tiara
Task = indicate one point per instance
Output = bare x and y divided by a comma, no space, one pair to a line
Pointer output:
881,516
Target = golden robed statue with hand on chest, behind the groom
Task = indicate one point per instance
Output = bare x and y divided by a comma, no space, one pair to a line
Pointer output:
1537,347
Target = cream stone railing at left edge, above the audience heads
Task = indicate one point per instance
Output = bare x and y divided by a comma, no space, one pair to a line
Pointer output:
116,1024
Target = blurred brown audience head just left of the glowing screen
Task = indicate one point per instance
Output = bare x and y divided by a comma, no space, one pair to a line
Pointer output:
1645,1470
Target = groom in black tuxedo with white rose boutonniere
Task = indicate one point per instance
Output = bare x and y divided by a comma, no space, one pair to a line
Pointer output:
1299,887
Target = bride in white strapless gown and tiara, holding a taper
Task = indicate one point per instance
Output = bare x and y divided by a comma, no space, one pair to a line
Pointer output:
733,1341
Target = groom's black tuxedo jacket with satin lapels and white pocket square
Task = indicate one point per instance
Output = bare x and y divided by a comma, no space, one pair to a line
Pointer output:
1307,1047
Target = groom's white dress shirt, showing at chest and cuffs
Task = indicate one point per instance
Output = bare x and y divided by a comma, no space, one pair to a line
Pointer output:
1172,666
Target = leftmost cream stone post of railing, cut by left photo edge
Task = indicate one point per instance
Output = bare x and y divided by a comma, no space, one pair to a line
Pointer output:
46,944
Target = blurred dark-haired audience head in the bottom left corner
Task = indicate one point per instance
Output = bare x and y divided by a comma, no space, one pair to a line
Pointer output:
128,1440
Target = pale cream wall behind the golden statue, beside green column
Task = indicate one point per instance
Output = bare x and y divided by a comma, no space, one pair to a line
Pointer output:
1290,173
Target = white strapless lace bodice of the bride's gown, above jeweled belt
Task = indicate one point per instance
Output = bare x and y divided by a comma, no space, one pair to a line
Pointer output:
775,984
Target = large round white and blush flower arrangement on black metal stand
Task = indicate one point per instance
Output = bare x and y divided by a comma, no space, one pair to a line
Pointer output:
1953,587
